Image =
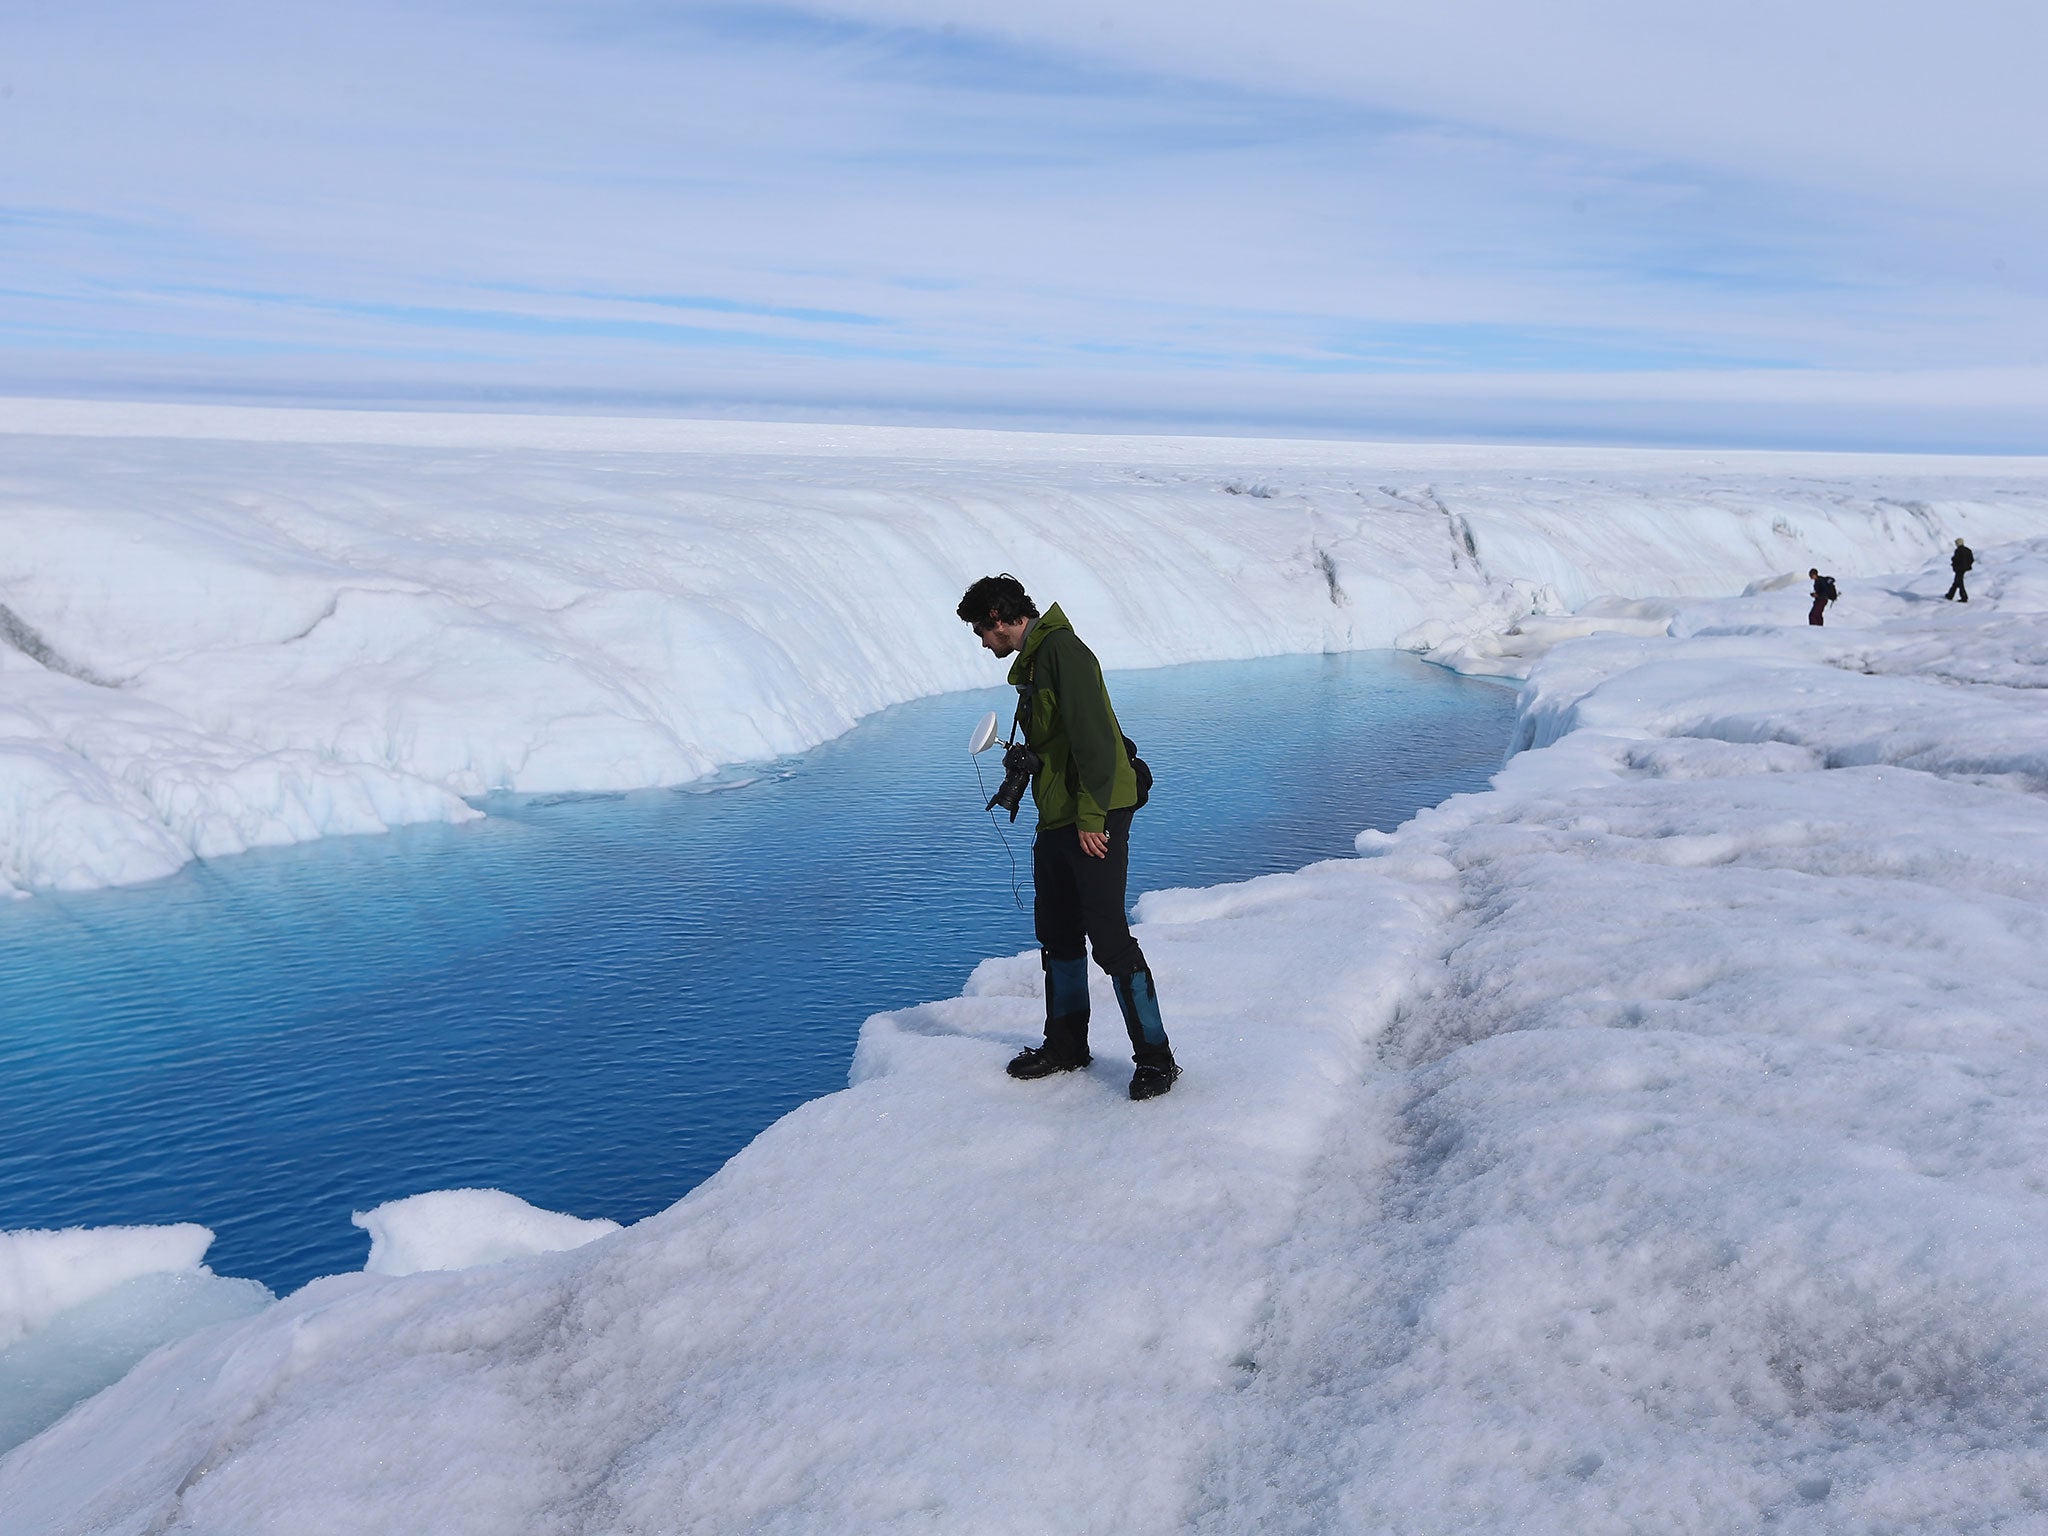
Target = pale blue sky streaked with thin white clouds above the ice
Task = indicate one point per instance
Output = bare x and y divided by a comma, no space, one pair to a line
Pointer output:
1803,222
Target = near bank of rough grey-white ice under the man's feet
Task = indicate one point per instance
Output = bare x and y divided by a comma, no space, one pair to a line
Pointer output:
1656,1142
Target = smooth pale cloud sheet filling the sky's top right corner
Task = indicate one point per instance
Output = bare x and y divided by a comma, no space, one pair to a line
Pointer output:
1887,97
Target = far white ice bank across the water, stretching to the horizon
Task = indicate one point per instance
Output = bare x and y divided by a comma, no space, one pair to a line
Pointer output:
234,628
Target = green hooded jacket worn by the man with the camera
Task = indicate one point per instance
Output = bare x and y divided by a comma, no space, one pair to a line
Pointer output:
1084,769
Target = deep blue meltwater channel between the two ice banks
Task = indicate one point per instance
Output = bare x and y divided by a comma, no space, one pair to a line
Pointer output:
597,1000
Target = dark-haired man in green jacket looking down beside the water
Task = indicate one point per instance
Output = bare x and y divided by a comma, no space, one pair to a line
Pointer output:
1086,794
